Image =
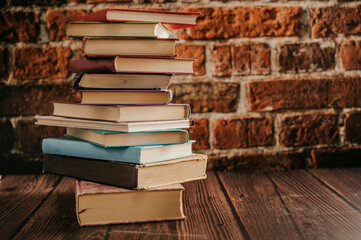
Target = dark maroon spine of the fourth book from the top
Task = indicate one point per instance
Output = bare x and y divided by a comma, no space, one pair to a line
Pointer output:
102,65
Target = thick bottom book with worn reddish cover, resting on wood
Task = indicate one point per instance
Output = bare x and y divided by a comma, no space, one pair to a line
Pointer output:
98,204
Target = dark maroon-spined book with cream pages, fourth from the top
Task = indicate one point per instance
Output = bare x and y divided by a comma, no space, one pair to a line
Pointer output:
132,65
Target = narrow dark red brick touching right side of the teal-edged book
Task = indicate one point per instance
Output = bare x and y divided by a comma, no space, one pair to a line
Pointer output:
200,133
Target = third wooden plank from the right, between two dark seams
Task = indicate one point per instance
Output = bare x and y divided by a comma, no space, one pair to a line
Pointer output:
259,206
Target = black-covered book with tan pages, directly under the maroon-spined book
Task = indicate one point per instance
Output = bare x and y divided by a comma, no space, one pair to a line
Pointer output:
121,81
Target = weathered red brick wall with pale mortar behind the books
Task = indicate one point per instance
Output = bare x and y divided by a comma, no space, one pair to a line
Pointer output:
278,83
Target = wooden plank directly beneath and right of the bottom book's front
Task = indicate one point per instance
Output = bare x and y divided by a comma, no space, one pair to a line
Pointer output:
209,216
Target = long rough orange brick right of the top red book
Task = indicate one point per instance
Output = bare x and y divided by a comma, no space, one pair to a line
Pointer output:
238,22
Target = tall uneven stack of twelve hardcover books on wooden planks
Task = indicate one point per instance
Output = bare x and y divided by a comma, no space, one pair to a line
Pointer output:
125,136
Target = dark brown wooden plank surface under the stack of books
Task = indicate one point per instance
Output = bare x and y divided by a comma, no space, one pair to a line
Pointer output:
301,204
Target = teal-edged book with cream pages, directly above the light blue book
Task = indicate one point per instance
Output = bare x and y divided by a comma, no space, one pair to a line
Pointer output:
121,139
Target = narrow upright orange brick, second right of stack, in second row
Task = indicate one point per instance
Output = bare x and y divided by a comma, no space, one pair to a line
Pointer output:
221,59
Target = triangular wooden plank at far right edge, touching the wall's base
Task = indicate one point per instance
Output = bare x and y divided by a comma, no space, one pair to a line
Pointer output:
345,182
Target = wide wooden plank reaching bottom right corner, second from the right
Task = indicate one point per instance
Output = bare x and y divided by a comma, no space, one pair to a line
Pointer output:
317,211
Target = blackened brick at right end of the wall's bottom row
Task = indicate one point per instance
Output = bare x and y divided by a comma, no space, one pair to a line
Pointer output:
336,157
